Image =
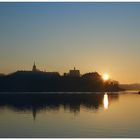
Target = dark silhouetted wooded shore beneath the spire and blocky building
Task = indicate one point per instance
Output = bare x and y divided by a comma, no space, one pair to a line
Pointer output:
28,81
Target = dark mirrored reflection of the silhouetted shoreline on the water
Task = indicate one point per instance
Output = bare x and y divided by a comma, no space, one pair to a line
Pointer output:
39,102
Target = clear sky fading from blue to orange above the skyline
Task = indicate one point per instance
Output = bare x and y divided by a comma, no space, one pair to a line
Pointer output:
102,37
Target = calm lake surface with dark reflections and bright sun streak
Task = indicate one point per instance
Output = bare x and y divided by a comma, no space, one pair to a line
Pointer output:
70,115
